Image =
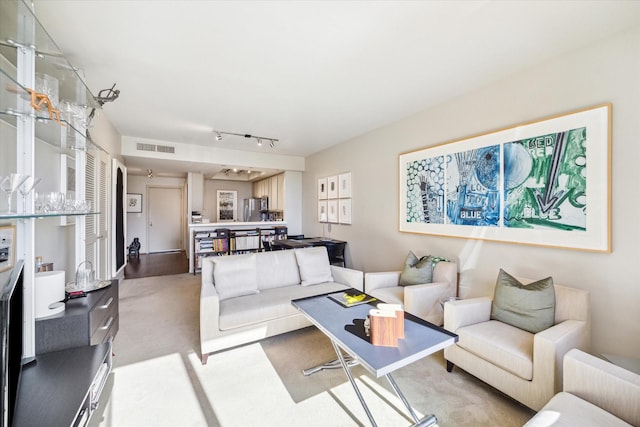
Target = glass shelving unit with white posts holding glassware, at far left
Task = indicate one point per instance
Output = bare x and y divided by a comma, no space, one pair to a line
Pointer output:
26,49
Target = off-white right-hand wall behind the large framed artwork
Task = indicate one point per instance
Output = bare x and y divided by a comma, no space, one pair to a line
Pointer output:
605,72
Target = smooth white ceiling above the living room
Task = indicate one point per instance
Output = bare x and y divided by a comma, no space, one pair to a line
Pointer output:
311,74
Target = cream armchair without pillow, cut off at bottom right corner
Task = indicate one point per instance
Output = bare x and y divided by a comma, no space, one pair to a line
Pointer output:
595,393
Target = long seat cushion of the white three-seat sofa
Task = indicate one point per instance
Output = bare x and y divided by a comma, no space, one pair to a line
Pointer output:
268,305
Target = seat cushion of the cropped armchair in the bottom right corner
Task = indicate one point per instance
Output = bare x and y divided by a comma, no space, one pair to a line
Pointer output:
567,410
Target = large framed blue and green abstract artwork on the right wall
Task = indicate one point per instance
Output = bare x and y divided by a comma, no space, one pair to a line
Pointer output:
545,182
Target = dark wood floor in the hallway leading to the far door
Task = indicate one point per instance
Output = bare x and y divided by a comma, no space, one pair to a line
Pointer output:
157,264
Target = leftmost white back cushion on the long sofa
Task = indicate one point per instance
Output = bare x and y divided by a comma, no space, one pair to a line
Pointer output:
235,275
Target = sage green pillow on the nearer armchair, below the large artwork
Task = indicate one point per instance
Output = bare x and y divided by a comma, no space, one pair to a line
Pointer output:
530,307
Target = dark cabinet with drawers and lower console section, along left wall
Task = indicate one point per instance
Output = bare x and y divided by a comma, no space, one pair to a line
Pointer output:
73,359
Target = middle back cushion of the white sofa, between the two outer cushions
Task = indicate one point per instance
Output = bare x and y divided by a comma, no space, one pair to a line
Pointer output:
276,269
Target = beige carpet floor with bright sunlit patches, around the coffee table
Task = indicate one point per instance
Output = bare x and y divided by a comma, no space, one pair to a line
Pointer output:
158,379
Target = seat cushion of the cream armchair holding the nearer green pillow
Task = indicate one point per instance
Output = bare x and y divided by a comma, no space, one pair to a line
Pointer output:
503,345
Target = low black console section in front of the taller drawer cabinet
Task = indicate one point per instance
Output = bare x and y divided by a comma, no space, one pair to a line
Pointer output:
62,388
